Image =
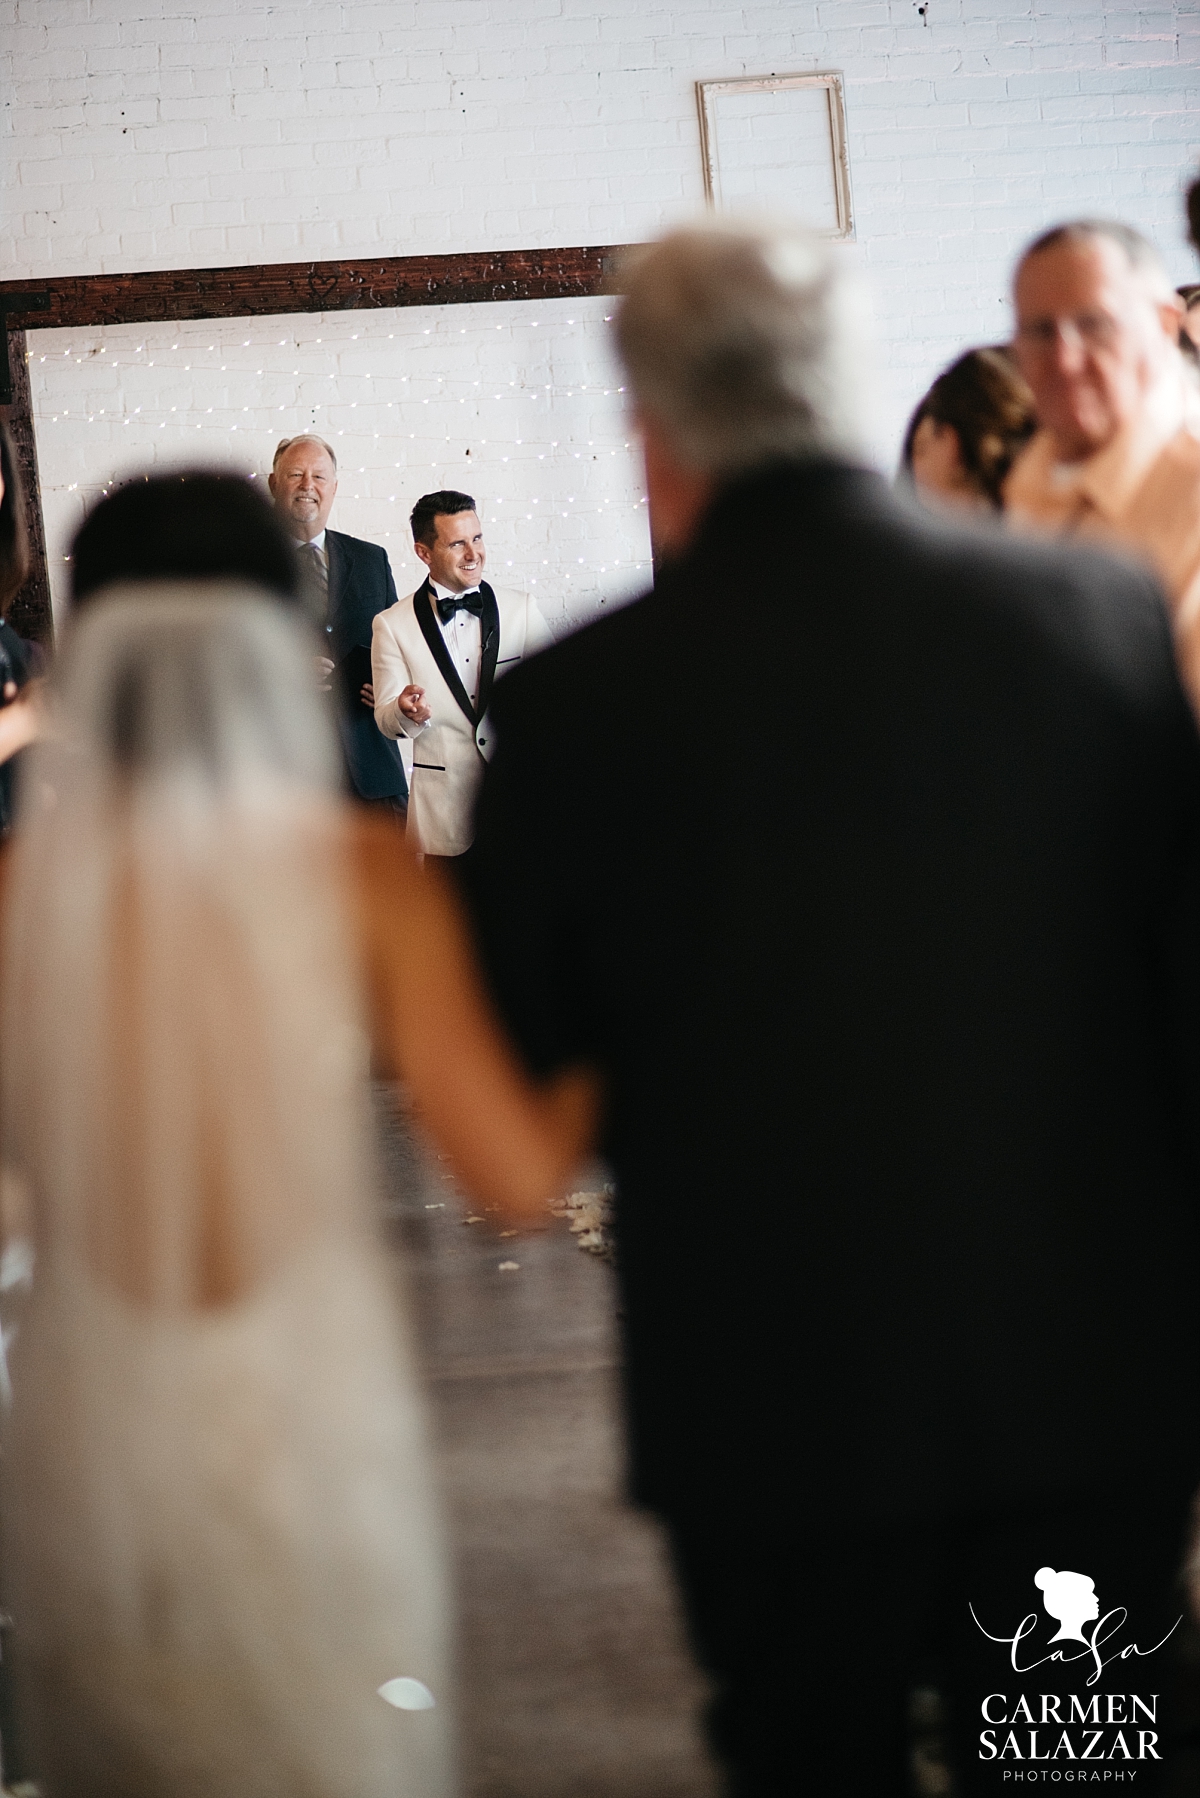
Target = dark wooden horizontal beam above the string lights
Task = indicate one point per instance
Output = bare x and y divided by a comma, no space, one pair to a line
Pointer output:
267,289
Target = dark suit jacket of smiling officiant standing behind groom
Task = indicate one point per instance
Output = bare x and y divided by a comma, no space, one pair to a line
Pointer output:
361,583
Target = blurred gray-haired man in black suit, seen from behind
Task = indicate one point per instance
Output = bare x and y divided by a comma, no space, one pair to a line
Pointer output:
899,1017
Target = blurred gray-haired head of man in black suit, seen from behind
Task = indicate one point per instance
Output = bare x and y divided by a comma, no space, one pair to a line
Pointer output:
748,343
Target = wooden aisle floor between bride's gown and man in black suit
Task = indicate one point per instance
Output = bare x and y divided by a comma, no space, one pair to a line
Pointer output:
577,1682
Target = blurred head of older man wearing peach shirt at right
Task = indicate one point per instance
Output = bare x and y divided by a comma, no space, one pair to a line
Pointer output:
1097,326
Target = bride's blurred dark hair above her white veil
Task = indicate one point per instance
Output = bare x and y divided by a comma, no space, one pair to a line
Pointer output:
192,526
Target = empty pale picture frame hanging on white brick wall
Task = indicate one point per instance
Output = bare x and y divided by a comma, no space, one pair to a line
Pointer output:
778,145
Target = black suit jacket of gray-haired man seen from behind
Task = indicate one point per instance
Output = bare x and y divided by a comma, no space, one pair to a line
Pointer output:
893,983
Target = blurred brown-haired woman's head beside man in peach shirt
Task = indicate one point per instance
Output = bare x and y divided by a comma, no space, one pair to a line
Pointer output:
967,431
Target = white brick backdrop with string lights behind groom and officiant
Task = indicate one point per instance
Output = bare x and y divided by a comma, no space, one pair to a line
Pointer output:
519,404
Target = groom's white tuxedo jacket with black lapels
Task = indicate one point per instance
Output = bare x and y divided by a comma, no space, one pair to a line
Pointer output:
449,756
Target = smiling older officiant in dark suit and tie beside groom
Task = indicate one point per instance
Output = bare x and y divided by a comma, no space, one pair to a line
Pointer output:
346,583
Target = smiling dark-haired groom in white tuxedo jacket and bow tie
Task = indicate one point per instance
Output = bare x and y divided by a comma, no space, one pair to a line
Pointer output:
436,655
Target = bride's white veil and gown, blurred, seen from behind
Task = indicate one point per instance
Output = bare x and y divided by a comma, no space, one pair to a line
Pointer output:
220,1526
